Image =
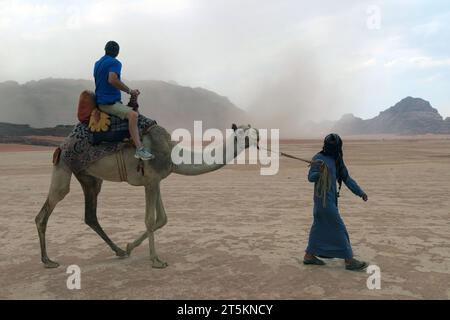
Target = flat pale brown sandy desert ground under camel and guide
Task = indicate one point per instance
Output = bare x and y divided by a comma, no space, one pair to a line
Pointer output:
236,234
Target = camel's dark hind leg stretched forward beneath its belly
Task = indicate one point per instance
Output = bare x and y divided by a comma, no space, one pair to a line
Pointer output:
91,188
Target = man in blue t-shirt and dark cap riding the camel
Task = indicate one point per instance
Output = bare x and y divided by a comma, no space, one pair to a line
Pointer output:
108,87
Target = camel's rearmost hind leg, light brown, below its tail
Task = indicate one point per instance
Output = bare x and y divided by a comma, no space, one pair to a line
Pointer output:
59,188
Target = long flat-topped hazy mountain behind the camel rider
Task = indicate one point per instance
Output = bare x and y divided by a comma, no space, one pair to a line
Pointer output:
51,102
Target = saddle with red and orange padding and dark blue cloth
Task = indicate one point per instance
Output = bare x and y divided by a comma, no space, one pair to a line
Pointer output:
104,127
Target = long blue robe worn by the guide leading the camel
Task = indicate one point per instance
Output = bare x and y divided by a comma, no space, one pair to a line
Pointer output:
328,236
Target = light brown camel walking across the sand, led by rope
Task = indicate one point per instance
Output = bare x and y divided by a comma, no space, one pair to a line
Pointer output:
150,177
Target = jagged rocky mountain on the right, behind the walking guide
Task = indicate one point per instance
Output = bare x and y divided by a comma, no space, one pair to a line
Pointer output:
409,116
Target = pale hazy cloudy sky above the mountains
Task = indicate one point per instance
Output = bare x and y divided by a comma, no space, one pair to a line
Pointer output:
317,59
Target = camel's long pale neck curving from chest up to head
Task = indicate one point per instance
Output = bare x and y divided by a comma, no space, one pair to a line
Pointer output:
230,150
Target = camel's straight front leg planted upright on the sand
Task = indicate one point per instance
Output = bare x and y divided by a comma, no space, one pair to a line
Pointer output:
150,205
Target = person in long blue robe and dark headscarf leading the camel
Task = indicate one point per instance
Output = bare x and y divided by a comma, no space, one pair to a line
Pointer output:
328,237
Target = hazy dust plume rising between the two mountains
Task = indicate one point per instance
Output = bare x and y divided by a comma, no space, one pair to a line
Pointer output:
298,96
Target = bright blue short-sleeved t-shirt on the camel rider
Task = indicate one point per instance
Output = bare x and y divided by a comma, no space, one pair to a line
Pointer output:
104,91
